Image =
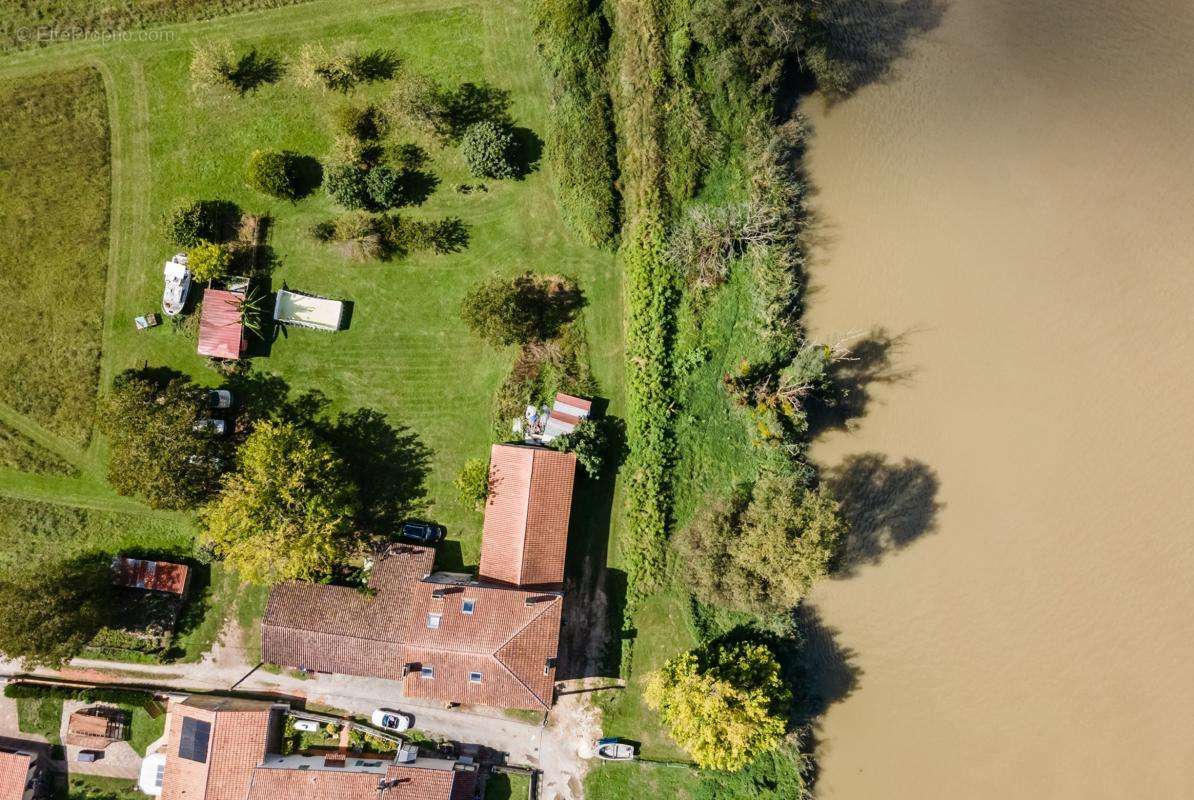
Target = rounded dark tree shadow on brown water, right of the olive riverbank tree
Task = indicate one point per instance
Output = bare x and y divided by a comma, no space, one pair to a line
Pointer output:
888,507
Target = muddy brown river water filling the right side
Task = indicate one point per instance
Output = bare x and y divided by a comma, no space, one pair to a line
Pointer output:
1010,212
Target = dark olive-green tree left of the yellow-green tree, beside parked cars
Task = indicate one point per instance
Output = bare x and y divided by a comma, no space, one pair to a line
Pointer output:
155,452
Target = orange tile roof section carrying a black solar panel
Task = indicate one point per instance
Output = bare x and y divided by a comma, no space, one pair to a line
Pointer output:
214,746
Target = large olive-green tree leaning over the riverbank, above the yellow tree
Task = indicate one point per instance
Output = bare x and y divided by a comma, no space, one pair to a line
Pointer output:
764,549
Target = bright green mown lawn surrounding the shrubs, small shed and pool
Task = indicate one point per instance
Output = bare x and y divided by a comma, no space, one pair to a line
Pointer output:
407,354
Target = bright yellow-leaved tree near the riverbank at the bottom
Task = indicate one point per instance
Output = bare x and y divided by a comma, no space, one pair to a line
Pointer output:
725,704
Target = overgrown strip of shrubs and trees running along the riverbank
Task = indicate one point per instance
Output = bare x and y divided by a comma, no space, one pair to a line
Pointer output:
713,211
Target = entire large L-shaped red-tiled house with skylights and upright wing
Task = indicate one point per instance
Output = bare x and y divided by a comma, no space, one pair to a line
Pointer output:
490,641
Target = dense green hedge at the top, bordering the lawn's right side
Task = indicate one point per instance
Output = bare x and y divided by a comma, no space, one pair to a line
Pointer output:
574,45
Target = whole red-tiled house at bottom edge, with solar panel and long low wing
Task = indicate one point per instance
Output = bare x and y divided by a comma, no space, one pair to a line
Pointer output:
227,749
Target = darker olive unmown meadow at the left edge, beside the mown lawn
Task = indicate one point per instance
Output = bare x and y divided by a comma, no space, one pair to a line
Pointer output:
54,212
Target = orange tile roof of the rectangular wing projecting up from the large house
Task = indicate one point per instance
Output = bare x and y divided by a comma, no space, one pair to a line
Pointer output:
527,513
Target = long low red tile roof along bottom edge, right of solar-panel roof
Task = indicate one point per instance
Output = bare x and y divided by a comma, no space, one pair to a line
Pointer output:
402,784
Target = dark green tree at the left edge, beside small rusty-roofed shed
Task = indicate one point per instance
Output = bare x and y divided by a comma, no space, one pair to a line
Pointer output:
52,611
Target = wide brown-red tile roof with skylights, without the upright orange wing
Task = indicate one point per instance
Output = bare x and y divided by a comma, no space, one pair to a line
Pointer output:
510,638
